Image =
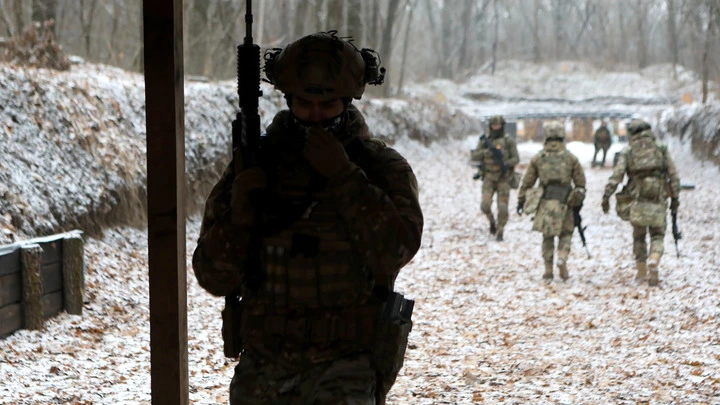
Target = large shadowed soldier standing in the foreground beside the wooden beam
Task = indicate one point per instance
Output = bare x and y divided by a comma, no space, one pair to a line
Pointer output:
340,217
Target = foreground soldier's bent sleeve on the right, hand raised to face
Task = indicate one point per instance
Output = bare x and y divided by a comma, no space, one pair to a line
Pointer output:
384,215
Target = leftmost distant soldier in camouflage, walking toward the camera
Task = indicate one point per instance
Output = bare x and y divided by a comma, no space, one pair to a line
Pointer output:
494,180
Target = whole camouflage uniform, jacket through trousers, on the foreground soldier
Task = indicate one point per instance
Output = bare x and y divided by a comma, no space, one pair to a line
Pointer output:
331,246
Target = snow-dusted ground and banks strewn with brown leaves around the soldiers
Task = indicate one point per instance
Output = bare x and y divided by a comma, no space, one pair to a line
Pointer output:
487,330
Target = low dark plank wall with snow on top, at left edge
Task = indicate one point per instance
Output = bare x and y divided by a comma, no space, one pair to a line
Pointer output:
38,279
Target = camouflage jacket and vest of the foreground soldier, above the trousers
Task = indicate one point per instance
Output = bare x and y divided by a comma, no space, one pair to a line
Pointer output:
349,234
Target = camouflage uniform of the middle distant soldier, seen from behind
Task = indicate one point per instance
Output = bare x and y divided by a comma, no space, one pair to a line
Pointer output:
557,166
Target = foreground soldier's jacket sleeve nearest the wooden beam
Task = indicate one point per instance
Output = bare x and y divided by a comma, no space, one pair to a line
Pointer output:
222,247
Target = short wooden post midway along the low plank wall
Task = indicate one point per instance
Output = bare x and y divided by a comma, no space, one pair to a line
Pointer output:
31,256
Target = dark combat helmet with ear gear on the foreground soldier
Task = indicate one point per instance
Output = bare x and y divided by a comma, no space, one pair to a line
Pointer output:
323,64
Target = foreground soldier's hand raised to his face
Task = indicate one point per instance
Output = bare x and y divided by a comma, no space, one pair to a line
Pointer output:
325,153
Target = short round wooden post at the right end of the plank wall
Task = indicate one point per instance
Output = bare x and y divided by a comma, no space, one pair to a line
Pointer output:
73,282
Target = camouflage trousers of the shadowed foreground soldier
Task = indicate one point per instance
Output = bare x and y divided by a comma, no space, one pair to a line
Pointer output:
259,380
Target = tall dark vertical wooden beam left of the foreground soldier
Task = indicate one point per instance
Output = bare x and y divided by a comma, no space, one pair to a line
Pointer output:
164,100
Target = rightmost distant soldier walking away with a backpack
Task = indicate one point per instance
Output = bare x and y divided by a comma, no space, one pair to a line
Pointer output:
652,178
